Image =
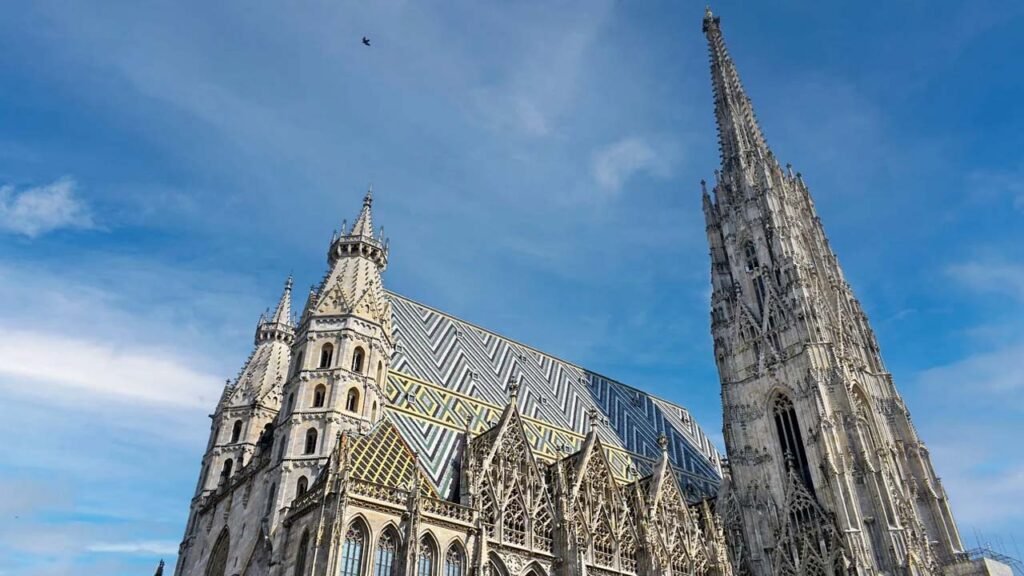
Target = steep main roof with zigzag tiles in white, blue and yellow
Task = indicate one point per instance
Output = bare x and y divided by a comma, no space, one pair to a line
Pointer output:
448,376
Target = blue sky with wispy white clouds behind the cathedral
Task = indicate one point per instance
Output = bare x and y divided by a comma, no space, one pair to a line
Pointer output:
164,167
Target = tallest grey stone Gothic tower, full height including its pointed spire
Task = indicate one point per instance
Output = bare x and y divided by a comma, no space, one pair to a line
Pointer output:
828,474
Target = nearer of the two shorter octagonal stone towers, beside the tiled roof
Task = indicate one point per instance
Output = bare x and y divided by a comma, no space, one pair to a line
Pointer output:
340,356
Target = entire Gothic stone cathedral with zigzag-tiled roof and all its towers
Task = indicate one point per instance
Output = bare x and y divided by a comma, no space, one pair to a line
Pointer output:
372,435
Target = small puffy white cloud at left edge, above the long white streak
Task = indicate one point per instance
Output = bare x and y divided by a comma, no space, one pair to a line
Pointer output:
35,212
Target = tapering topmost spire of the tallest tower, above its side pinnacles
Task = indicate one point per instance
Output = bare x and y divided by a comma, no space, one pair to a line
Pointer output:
740,137
